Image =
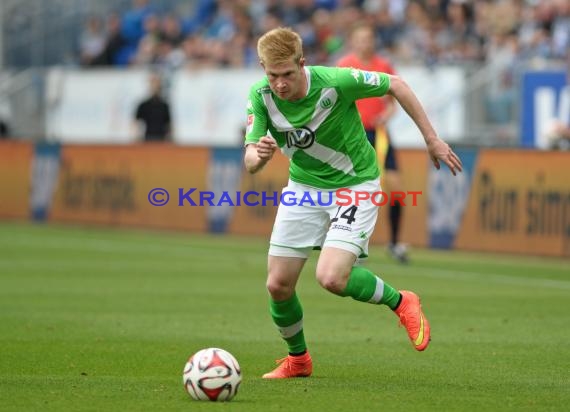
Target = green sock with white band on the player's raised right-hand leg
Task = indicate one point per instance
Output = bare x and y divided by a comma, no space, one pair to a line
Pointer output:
364,286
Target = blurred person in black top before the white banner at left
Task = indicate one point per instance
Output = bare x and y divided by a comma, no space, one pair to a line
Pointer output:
153,114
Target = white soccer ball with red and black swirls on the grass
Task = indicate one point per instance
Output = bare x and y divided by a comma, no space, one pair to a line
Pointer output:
212,374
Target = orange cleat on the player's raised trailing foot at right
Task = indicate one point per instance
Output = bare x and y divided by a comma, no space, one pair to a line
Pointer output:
414,320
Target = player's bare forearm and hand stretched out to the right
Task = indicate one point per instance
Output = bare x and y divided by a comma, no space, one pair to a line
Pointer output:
437,148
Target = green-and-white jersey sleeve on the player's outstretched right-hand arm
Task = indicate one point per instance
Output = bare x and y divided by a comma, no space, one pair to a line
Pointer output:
359,84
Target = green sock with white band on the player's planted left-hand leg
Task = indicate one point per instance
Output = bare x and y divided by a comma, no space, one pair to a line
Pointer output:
288,316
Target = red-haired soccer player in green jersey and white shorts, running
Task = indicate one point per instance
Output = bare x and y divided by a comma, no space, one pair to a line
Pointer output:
309,113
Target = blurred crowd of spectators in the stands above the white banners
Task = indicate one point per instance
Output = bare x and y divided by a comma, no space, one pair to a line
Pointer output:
223,33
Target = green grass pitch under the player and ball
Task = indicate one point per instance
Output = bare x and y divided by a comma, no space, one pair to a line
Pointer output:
104,320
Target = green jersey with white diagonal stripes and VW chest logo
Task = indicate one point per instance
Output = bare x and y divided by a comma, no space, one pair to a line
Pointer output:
322,133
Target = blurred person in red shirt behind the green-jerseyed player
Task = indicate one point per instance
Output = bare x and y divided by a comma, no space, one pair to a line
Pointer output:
375,113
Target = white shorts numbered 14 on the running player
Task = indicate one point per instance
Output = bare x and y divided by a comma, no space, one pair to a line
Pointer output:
309,218
